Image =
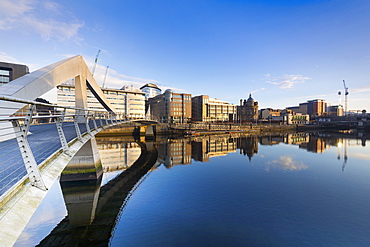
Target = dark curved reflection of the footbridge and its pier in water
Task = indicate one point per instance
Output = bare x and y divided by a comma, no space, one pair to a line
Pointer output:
98,226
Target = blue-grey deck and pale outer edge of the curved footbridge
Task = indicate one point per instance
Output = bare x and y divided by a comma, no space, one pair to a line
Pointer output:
19,203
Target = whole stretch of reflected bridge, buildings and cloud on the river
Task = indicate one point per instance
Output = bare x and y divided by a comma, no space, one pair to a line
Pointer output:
94,209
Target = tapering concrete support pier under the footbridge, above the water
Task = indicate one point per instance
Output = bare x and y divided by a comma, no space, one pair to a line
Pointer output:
85,165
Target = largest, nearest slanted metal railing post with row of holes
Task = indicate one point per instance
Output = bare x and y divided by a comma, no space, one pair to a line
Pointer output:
27,155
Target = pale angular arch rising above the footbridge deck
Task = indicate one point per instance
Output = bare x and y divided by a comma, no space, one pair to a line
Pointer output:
39,82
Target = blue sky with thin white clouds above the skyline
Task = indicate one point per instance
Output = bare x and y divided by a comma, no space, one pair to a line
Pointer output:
283,52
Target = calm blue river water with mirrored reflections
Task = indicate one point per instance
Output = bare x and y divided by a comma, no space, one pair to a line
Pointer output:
306,189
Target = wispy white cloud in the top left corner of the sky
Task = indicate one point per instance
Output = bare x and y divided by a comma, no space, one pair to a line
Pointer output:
47,18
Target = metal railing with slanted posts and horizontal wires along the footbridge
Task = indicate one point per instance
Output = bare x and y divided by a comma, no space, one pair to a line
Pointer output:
32,134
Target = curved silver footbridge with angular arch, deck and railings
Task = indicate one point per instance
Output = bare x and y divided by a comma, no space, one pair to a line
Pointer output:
33,156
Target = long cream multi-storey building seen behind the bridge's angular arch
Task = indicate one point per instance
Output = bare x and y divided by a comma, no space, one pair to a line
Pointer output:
128,100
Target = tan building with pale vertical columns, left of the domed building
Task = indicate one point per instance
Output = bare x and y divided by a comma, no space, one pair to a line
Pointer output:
206,109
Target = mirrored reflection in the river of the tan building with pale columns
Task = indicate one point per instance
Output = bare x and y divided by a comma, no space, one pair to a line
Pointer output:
205,148
